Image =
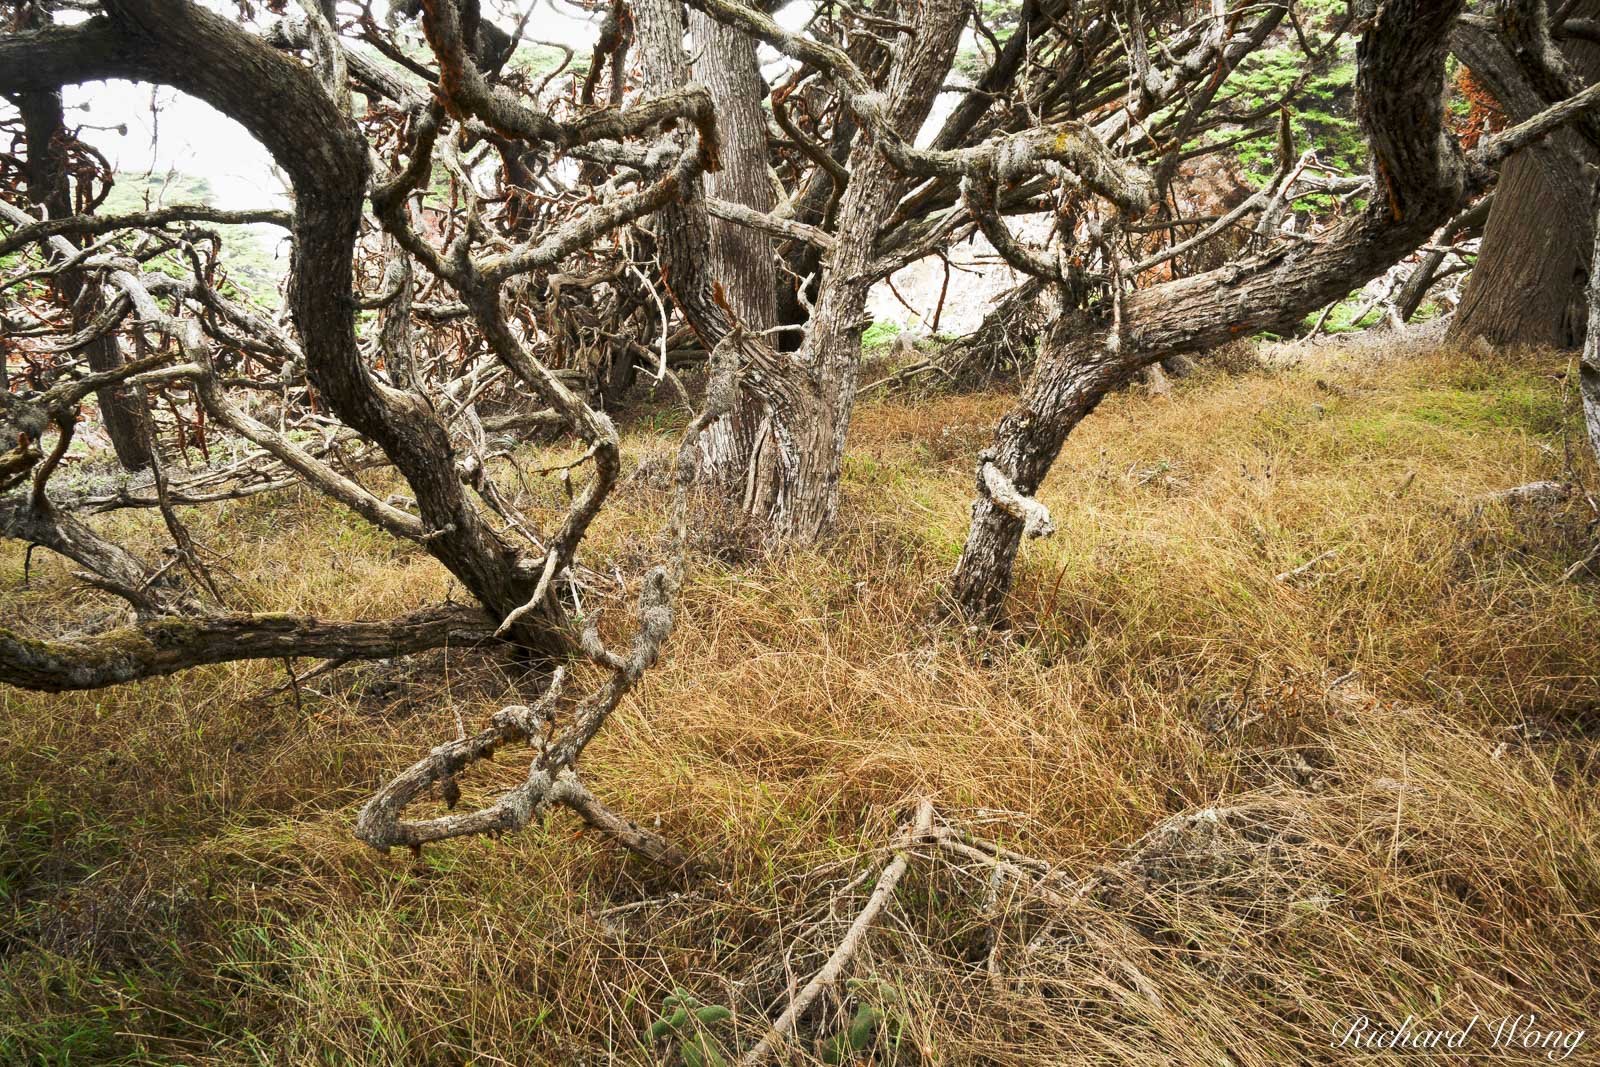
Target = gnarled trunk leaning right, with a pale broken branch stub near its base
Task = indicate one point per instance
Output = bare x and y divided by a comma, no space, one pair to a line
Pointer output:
1420,182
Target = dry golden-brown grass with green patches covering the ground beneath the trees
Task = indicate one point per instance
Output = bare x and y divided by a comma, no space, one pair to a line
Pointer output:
180,884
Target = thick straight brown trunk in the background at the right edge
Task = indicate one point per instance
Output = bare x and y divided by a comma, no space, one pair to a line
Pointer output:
1529,282
